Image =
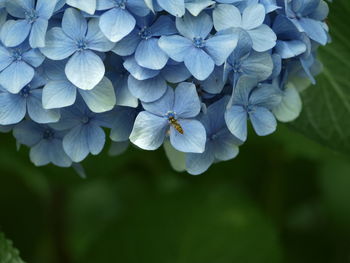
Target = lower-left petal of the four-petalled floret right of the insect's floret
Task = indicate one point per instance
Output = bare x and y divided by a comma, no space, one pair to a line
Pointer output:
236,120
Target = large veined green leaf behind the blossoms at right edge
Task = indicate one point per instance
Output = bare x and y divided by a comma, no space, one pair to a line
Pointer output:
326,110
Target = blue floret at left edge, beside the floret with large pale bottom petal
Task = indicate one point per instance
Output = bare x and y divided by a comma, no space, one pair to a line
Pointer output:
17,66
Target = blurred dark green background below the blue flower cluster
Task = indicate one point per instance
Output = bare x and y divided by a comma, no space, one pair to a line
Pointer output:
283,199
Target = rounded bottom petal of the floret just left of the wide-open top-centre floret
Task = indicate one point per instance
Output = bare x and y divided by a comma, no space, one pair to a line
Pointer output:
149,55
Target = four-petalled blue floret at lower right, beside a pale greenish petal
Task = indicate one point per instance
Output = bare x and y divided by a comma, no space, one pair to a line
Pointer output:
255,102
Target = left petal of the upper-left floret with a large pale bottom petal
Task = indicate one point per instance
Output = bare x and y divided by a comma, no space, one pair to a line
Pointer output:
58,45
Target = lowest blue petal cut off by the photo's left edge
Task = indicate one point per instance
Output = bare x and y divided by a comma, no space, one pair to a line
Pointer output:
13,108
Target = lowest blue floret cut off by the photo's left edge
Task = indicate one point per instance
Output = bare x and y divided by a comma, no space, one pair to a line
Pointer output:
14,107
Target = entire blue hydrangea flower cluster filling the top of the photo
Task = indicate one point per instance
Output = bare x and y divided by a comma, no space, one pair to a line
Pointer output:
189,73
